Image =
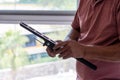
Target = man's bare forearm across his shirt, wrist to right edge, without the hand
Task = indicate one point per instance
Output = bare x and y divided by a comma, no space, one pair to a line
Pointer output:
107,53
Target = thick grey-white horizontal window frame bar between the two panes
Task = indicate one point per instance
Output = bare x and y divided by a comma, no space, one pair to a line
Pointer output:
36,17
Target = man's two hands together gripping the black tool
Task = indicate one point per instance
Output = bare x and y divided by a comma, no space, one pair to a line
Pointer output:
67,49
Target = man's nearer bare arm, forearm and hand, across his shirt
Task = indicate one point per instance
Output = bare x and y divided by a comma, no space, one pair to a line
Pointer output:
104,53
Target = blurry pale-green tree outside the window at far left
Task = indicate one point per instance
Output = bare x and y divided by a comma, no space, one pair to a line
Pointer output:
12,54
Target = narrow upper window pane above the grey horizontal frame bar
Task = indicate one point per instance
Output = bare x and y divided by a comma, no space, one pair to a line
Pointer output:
38,4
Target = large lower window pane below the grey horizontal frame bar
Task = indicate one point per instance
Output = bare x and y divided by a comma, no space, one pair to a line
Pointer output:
22,57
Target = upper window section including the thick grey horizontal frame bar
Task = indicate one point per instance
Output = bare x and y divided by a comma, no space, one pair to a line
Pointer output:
39,11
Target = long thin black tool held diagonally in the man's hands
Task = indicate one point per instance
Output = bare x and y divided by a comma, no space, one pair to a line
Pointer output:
50,43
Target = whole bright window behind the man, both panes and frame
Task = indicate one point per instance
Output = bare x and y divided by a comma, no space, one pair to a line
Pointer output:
31,61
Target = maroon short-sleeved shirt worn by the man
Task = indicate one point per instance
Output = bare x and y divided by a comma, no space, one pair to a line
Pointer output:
98,22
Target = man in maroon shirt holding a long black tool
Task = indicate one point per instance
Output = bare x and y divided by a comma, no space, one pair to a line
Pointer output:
95,37
